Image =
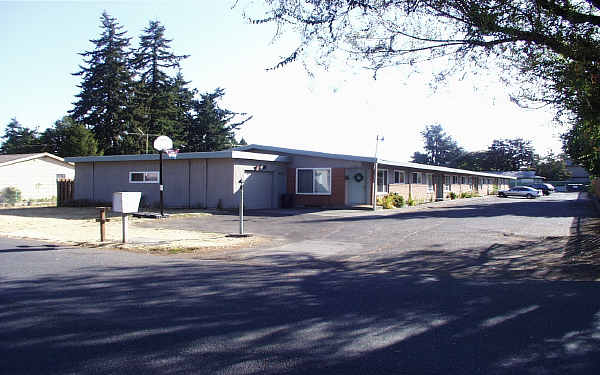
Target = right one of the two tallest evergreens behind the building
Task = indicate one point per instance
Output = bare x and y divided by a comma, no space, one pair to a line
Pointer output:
155,106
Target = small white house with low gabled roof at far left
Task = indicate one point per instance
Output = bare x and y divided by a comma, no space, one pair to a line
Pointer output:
34,175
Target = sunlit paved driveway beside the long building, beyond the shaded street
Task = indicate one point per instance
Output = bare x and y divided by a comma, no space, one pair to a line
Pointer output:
456,229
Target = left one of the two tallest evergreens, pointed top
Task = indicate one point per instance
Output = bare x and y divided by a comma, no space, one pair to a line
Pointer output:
103,104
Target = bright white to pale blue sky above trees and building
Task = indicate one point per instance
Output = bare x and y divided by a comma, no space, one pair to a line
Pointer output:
339,110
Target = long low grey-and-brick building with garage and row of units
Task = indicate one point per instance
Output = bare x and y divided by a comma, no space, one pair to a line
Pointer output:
309,178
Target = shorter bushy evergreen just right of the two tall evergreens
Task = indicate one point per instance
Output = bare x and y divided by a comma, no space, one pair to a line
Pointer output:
212,128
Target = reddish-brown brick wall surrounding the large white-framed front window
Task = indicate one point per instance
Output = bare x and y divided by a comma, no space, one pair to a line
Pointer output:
338,190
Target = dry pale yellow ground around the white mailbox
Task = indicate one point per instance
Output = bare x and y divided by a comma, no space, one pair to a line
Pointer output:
78,226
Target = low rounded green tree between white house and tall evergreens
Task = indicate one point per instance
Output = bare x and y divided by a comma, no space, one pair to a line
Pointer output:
69,138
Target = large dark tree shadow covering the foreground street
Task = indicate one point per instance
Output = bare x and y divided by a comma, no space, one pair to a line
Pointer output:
421,312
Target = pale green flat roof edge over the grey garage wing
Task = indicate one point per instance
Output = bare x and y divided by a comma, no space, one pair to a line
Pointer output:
225,154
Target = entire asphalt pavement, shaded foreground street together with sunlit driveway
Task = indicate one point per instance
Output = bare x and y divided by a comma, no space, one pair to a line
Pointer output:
470,295
